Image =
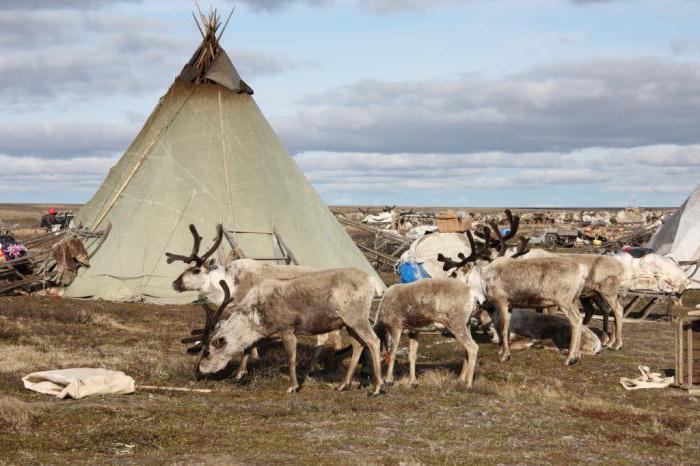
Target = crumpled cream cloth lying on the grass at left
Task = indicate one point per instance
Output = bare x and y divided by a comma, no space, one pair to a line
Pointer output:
78,383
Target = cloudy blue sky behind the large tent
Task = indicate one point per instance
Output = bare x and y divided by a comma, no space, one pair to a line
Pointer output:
500,103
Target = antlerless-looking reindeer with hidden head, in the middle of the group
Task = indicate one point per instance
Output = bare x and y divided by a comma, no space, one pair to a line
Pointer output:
418,304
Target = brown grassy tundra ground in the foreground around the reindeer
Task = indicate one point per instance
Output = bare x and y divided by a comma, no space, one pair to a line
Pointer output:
531,410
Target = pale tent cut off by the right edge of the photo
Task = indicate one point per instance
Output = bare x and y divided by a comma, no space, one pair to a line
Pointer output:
679,237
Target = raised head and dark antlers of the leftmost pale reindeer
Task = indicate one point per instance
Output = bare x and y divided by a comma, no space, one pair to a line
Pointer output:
205,271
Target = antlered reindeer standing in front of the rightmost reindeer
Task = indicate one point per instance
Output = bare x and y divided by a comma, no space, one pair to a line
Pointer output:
528,283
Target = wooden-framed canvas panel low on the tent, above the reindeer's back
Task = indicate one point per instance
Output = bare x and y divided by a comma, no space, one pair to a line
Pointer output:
260,241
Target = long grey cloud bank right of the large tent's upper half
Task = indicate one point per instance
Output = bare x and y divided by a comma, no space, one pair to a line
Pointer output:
609,103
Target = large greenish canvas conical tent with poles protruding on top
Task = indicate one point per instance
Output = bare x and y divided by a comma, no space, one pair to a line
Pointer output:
206,155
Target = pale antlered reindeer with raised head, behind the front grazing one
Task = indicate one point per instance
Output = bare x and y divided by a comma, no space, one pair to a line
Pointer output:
240,275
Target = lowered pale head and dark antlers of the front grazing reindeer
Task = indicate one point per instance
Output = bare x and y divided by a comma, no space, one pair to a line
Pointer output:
220,341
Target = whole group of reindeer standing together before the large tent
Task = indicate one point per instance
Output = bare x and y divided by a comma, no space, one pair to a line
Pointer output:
266,301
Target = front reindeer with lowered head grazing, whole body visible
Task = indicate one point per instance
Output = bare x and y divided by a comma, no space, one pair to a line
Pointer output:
311,304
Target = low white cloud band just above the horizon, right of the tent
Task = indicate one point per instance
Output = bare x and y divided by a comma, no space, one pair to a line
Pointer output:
627,170
